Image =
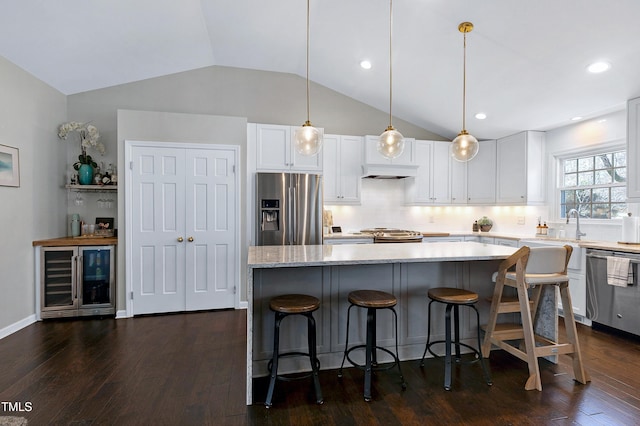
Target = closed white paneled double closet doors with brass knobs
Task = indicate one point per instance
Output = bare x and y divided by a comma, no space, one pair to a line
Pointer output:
183,228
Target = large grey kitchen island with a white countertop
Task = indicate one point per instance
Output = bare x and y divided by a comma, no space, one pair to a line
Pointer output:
330,272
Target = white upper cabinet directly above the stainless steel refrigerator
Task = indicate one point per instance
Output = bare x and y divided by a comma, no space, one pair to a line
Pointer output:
275,150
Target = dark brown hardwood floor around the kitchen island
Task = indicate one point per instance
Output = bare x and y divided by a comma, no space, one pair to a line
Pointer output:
189,369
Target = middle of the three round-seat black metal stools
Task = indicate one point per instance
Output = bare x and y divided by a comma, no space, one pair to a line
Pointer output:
372,301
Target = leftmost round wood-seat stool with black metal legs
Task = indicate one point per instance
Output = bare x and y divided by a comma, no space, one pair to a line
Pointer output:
283,306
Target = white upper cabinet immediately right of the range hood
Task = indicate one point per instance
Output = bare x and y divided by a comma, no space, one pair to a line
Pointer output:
431,184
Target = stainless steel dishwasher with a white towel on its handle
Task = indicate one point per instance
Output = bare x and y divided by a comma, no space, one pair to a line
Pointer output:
617,307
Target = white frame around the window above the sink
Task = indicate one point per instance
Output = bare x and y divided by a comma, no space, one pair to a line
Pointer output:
558,159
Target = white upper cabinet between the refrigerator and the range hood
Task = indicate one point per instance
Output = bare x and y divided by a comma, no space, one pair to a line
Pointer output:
342,169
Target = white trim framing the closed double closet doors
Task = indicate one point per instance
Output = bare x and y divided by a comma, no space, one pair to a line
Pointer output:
128,203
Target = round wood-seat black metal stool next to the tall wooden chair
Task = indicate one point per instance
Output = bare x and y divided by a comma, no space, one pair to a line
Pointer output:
453,298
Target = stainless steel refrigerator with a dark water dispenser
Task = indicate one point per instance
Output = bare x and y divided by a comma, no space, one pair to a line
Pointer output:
289,209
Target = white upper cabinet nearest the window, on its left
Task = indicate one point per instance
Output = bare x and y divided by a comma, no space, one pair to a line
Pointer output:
520,161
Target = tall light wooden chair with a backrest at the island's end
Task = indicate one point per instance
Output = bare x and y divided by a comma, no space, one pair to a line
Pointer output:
528,270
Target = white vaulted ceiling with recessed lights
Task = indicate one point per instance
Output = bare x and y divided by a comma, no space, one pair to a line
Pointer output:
525,59
